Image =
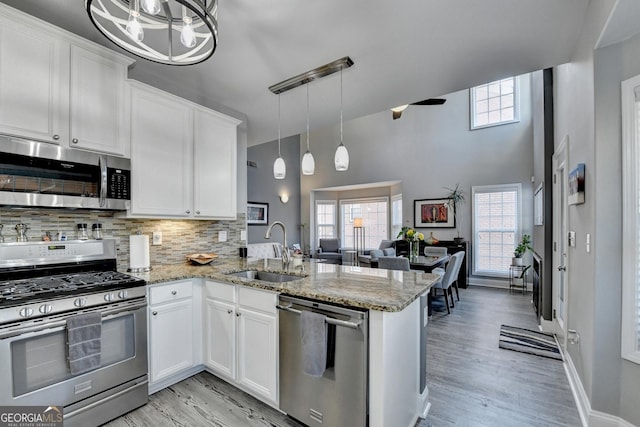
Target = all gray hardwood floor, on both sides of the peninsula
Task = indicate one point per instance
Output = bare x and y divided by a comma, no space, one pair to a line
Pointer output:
471,381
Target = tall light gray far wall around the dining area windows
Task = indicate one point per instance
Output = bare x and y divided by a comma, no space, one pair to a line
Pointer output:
428,148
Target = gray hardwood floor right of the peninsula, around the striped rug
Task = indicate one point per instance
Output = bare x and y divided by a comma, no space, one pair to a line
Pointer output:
472,382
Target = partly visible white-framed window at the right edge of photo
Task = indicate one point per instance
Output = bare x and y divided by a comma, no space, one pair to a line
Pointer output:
631,220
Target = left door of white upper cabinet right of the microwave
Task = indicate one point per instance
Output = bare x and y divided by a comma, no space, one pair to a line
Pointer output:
161,155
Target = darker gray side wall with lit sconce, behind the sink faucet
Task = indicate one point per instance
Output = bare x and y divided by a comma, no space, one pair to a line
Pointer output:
263,187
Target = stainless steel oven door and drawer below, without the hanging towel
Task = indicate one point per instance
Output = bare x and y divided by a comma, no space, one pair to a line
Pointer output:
37,369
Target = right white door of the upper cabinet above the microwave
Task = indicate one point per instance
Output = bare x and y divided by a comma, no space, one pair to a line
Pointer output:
97,103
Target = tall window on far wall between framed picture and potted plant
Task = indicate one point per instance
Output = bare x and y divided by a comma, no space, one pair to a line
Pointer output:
496,219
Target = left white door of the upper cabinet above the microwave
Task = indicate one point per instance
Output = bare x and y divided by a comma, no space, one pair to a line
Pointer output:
34,85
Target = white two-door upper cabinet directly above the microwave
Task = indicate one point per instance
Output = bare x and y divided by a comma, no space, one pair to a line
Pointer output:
57,87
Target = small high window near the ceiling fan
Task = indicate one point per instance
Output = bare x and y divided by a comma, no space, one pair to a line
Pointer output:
494,103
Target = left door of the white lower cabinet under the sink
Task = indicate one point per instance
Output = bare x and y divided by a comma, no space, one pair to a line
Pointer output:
220,337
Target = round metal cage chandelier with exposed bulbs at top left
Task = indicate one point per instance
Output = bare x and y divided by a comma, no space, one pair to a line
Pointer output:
172,32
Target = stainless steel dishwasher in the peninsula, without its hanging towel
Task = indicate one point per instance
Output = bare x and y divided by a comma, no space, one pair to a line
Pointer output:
340,396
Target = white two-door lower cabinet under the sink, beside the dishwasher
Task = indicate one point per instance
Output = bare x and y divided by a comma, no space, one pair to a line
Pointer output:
241,337
